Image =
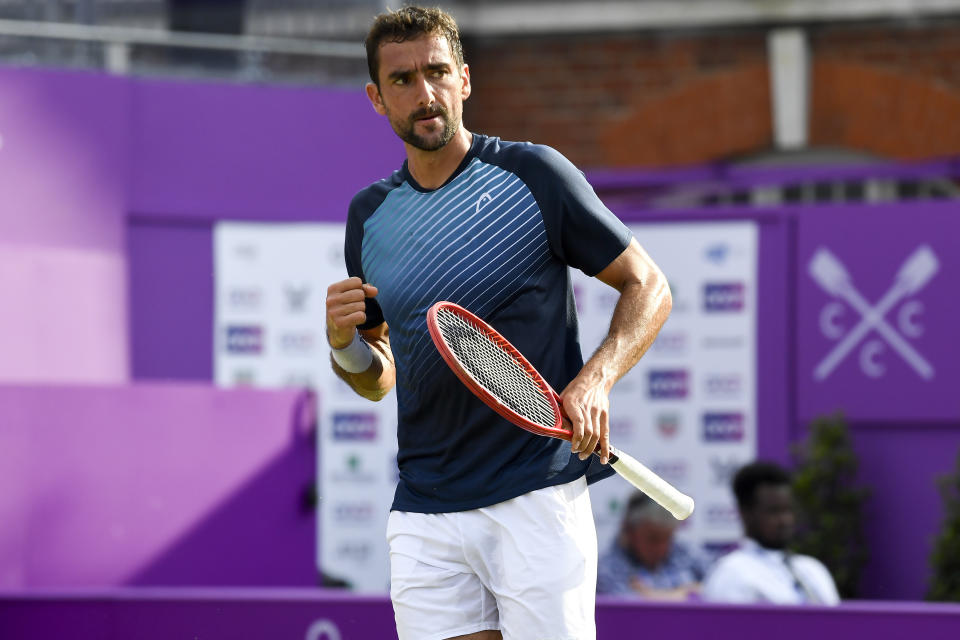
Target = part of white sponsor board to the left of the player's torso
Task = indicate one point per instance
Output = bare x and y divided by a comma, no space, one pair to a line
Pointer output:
269,324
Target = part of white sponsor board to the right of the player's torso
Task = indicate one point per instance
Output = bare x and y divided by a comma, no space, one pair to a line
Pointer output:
688,409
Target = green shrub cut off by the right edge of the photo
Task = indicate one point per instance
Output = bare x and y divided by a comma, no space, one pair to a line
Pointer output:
945,557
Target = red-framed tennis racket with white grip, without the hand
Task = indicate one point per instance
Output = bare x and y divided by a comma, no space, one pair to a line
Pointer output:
500,376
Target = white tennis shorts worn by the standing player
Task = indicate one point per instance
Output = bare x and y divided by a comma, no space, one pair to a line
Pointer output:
527,566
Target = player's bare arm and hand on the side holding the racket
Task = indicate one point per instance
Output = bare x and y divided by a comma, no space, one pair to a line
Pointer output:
643,307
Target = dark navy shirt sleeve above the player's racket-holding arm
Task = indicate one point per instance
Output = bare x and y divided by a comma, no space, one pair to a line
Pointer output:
581,230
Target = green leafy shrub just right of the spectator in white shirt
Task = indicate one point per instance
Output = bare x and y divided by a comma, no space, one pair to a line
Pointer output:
830,506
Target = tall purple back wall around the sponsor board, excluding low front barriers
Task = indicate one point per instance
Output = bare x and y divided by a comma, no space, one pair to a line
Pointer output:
177,156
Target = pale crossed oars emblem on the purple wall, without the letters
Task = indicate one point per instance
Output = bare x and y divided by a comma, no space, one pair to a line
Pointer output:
914,274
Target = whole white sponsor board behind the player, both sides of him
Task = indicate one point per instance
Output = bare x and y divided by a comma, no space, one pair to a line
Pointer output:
687,410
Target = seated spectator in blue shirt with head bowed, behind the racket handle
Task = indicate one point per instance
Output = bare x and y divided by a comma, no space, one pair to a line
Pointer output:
645,560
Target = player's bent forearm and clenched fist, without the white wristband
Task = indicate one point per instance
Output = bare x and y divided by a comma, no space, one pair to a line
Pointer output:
345,311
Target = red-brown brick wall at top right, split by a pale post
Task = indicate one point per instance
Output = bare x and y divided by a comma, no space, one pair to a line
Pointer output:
681,98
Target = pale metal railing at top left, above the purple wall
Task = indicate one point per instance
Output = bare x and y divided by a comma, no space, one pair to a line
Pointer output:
118,41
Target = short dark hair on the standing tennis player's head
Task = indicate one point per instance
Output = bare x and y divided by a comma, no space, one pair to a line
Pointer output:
410,23
